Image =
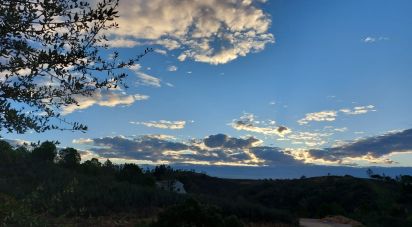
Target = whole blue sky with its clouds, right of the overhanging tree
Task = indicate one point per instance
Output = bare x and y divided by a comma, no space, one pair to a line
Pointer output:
286,84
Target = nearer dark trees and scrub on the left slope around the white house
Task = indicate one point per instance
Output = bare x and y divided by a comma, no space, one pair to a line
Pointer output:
50,187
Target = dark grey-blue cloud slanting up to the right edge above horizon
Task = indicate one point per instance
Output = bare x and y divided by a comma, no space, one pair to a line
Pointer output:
374,147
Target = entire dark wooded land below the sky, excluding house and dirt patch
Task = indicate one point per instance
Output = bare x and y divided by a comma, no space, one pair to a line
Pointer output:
46,186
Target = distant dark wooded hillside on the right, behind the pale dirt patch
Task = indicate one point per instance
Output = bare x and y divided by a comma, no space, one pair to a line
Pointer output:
370,201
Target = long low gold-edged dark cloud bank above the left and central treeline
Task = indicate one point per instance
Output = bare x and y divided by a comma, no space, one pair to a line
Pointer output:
219,149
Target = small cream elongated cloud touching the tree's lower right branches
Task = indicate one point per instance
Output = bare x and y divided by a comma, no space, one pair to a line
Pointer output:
108,98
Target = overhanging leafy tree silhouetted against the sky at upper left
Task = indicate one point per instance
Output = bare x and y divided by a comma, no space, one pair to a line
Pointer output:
50,55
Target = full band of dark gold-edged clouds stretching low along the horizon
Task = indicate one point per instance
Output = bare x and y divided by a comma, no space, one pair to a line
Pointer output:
221,149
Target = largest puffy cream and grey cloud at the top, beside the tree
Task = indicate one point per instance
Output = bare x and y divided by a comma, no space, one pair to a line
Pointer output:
210,31
